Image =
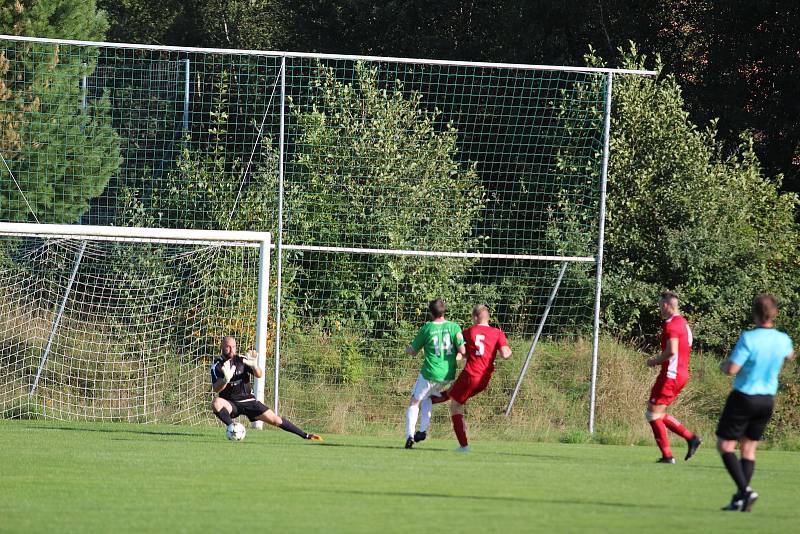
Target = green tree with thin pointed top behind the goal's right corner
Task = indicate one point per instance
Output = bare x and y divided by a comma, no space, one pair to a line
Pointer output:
210,187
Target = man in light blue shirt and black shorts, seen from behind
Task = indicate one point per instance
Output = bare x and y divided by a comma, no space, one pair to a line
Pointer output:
756,362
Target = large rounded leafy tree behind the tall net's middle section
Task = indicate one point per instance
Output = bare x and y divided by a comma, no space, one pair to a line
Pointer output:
372,168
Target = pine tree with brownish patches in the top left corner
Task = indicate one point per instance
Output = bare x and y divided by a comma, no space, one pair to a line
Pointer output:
60,152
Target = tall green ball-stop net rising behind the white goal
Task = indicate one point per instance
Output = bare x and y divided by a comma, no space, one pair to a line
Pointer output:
385,183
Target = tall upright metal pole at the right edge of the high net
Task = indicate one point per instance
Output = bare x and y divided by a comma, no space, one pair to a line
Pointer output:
600,241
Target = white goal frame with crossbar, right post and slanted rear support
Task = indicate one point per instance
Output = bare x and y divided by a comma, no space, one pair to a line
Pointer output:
260,240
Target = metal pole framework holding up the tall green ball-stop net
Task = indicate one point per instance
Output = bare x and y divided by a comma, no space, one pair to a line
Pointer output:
281,244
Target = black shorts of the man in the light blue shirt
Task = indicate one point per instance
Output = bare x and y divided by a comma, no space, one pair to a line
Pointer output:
745,415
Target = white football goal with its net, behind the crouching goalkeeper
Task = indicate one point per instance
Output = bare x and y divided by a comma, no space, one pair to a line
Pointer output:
148,305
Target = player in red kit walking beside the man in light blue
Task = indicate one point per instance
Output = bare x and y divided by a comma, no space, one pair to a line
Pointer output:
676,346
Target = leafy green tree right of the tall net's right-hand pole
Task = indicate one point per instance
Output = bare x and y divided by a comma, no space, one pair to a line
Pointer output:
682,214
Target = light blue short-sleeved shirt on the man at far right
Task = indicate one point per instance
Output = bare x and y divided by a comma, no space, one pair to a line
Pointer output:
760,352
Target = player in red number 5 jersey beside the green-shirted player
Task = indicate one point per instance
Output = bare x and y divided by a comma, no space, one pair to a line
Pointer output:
483,342
